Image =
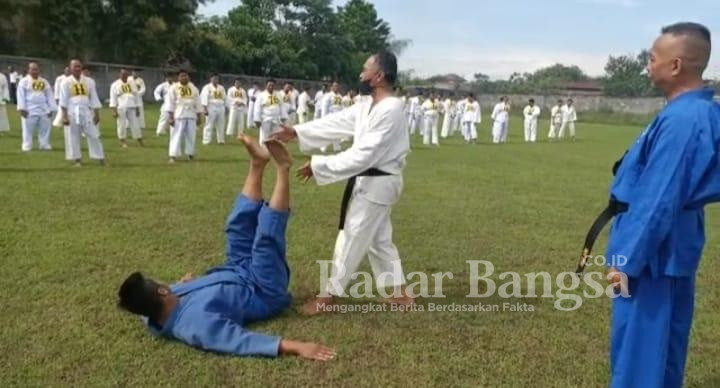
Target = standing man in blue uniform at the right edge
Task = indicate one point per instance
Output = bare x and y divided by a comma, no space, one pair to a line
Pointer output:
666,178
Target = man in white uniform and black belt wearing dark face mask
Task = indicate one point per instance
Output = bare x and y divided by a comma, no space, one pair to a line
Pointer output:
373,167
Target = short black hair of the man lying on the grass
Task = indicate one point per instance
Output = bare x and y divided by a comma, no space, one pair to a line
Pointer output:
139,295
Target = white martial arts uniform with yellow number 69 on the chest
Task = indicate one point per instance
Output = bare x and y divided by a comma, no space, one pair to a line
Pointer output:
35,96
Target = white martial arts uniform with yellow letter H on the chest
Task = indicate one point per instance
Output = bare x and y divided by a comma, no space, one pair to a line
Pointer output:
79,99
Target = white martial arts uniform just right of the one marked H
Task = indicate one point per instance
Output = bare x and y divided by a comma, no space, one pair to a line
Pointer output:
124,98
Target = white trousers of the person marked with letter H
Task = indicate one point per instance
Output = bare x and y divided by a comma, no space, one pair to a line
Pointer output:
81,122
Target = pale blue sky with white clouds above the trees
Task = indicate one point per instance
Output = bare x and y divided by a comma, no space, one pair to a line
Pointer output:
499,37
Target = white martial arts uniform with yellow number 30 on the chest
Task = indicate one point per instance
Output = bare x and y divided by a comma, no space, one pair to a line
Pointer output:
184,105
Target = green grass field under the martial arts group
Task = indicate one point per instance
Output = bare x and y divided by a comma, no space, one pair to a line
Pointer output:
69,236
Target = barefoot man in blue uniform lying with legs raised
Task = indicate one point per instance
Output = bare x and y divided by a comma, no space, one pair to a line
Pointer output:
210,312
